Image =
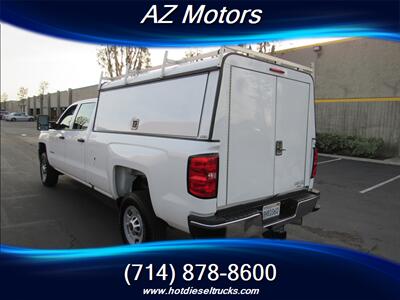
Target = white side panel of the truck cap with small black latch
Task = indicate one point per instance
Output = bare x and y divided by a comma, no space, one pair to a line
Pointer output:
167,107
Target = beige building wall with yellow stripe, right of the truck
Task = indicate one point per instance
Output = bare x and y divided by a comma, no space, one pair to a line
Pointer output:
357,87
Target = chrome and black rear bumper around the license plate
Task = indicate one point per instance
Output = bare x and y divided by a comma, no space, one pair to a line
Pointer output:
245,220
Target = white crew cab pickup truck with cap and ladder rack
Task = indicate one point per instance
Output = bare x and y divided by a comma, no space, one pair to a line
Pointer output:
223,145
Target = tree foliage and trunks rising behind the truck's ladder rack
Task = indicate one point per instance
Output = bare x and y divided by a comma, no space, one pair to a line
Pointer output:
114,60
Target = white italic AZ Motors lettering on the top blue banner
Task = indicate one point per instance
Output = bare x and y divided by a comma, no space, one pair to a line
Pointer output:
164,15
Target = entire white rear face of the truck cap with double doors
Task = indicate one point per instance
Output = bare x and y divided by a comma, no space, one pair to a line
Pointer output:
265,122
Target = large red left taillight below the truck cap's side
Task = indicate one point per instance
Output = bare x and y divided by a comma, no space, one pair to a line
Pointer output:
203,175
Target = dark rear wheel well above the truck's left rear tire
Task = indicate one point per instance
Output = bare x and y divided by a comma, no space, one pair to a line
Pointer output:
129,180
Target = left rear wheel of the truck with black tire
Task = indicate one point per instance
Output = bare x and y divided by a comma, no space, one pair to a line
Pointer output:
138,222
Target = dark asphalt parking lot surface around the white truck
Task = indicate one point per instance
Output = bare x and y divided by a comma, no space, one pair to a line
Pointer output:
360,204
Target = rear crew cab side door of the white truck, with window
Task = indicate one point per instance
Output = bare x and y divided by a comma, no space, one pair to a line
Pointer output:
75,142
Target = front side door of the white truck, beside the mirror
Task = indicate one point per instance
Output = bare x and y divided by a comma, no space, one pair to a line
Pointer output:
56,145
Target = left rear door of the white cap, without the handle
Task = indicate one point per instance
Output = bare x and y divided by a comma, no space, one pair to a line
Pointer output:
251,136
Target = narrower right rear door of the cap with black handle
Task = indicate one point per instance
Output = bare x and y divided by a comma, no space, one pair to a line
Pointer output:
291,134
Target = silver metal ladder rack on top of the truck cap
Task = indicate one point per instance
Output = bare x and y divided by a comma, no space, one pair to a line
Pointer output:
213,54
